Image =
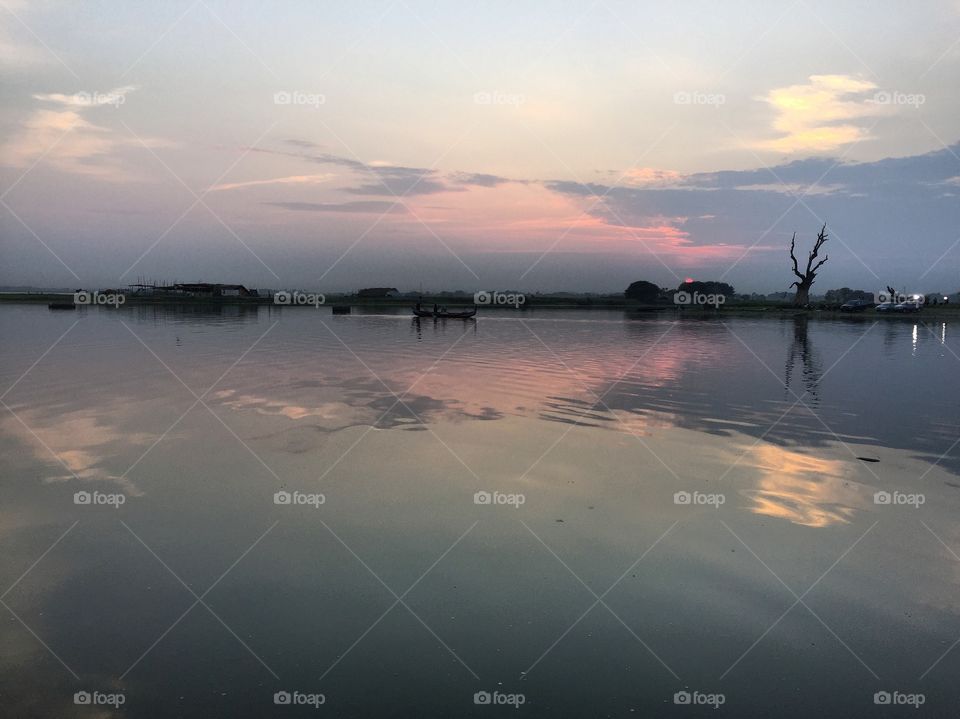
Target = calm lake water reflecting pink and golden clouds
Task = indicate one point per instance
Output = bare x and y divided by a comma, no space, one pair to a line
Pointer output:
587,586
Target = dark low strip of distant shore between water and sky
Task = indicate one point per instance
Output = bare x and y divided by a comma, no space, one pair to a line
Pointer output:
534,303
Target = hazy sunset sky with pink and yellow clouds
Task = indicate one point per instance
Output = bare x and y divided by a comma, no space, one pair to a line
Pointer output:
535,146
